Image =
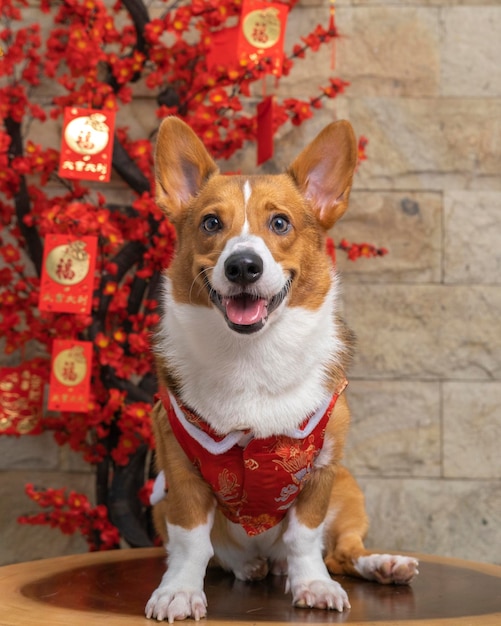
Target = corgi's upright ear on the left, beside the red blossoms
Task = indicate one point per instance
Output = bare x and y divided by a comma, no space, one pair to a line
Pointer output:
182,165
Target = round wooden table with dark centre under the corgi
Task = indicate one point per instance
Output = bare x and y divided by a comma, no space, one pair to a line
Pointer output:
113,587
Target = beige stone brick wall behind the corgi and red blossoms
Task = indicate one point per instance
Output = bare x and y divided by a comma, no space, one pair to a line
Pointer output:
425,389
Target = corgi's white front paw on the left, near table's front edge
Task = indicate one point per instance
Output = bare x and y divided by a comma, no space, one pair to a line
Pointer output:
175,605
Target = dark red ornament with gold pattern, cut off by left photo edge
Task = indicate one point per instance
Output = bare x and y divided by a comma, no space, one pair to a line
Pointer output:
21,397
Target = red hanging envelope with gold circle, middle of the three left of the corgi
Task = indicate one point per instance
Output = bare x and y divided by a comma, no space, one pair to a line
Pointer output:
67,279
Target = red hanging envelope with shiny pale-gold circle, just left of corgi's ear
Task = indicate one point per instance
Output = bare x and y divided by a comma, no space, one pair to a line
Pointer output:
87,144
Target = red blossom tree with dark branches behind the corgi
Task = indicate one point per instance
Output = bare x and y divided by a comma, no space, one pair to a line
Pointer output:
94,54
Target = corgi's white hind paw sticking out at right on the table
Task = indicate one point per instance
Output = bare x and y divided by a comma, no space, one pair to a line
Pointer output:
387,568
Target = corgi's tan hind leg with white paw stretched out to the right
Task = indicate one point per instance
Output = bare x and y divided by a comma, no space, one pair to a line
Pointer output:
345,553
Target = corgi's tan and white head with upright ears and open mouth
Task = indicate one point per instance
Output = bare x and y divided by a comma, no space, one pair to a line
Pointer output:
249,244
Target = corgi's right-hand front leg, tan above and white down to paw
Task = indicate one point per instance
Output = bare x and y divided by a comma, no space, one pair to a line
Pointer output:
308,577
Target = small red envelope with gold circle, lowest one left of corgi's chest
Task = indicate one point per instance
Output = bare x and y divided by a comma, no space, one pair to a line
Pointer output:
70,376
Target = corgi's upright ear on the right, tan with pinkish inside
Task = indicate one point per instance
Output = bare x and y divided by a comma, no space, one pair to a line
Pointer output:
324,171
